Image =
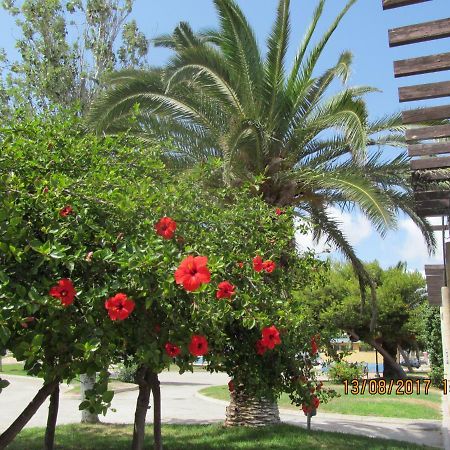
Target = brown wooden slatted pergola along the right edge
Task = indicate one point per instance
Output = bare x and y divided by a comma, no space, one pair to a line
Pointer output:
428,146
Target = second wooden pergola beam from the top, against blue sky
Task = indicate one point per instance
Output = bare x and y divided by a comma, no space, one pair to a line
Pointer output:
419,32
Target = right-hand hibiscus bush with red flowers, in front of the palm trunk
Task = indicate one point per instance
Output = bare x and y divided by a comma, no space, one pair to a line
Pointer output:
264,341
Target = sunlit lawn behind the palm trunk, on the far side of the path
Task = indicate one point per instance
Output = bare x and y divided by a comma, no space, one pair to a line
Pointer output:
406,407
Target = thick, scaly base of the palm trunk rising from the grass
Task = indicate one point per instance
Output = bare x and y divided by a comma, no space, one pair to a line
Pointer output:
245,410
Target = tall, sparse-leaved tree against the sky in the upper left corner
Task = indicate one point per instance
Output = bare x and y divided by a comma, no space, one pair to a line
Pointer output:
66,48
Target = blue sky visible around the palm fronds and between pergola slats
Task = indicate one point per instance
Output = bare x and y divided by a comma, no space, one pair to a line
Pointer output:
364,31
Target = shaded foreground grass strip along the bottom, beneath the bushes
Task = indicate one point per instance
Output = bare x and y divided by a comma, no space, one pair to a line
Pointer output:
203,437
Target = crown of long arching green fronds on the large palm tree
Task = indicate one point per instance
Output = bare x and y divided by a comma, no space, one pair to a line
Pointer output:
220,97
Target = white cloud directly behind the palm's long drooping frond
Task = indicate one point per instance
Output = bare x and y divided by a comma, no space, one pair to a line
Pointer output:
355,227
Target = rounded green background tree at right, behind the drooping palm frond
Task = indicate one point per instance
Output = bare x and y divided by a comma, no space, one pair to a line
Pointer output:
401,307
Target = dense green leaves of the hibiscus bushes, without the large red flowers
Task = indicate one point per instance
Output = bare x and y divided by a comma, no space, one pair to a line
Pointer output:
79,207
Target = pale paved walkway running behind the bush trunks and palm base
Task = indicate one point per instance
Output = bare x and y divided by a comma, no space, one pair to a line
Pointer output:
182,404
